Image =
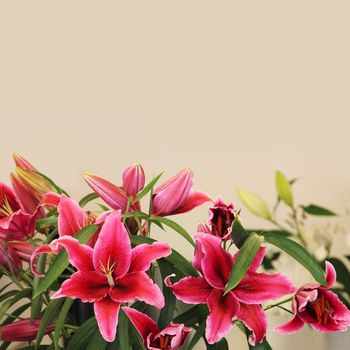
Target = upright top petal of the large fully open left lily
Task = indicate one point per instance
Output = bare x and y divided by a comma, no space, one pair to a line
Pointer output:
112,251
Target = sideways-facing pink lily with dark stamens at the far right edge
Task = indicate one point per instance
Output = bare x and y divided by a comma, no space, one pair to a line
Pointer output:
316,305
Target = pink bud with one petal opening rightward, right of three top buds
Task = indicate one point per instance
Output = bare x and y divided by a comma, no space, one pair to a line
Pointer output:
175,196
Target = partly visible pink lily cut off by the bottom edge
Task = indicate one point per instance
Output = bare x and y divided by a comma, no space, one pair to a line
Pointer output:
170,338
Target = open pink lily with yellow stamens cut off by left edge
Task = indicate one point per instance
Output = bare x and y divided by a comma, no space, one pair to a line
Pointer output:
15,224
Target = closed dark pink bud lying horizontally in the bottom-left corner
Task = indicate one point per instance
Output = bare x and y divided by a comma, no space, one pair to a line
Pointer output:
22,330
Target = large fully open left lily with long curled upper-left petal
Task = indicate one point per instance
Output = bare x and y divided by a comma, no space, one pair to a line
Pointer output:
109,274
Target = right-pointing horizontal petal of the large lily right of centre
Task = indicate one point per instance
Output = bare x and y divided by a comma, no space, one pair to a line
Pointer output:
256,288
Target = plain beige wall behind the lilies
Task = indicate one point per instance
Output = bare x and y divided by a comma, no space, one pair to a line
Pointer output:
234,90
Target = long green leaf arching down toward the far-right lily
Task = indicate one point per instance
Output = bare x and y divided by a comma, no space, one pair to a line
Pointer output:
299,253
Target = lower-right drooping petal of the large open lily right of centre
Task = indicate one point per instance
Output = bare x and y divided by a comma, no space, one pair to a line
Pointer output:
254,318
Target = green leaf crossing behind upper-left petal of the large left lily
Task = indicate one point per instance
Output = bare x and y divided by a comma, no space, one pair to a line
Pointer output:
61,261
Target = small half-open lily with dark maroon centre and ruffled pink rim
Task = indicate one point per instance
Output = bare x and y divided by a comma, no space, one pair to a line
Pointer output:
221,217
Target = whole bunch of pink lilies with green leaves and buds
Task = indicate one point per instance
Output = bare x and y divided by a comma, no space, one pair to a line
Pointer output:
77,278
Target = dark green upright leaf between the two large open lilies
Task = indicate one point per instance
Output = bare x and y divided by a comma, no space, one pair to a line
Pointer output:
167,313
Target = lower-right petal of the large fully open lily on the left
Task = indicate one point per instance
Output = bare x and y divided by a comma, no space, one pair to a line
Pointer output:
137,285
